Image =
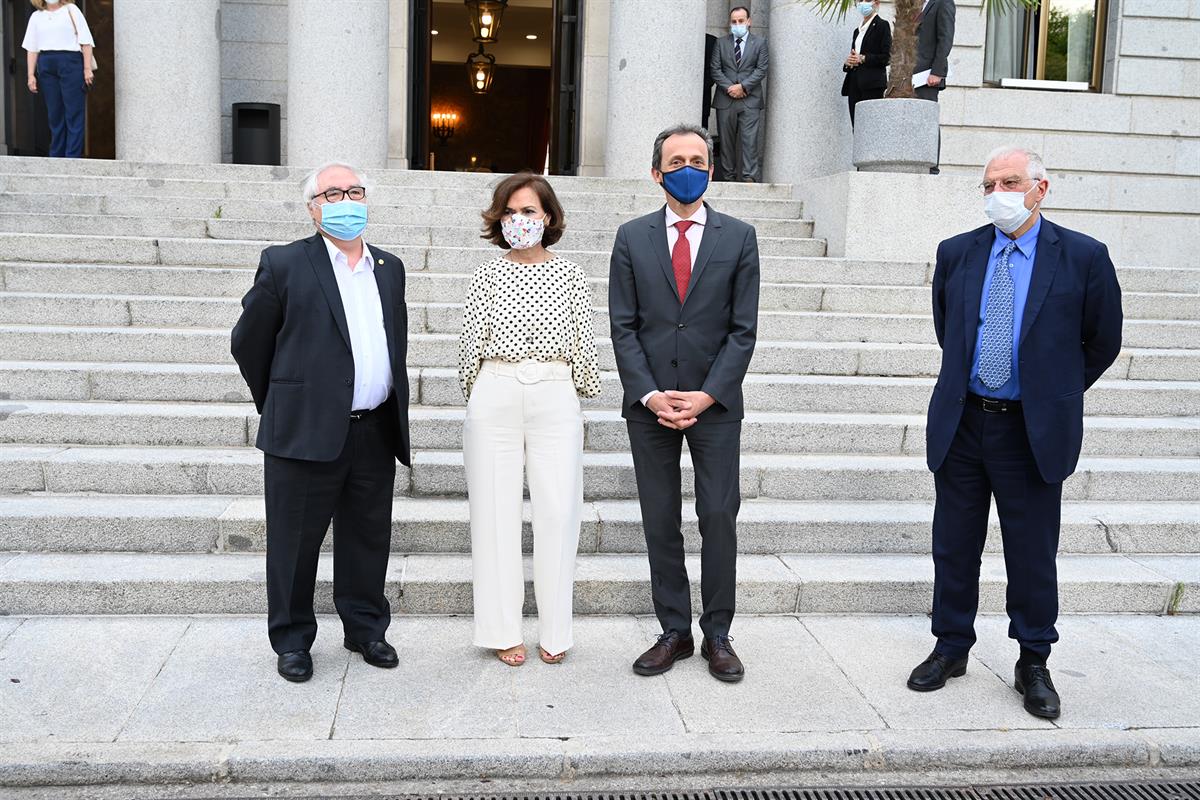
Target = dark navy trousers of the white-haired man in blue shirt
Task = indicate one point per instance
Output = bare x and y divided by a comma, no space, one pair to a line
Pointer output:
991,458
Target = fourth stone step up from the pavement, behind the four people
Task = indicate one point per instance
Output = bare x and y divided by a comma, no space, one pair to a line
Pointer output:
213,425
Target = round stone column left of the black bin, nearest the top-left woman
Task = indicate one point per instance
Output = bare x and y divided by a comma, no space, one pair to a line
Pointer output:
169,81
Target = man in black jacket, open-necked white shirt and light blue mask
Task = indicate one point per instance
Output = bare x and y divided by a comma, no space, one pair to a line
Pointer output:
322,346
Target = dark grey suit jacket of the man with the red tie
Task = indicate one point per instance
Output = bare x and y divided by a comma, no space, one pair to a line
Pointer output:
704,345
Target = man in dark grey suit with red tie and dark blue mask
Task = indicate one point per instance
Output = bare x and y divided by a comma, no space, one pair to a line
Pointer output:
683,302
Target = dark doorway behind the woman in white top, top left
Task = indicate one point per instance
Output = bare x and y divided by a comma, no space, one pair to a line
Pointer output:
27,131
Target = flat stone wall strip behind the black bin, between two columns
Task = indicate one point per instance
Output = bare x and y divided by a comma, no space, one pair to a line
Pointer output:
254,63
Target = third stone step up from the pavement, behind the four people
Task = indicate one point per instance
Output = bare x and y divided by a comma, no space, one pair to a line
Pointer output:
69,470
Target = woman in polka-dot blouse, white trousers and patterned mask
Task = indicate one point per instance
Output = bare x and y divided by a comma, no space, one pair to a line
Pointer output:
527,356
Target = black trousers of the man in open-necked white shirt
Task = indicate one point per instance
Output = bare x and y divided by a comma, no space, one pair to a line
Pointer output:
355,491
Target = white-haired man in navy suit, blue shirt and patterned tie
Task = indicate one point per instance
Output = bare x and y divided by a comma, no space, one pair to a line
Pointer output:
1029,317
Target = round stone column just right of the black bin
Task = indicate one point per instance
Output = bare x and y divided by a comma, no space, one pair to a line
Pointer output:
338,83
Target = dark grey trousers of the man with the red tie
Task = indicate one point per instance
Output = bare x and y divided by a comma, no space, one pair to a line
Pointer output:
716,452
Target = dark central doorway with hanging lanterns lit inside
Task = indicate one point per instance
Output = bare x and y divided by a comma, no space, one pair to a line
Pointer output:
529,118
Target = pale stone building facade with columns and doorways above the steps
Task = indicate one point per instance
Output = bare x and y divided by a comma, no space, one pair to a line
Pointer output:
1107,91
